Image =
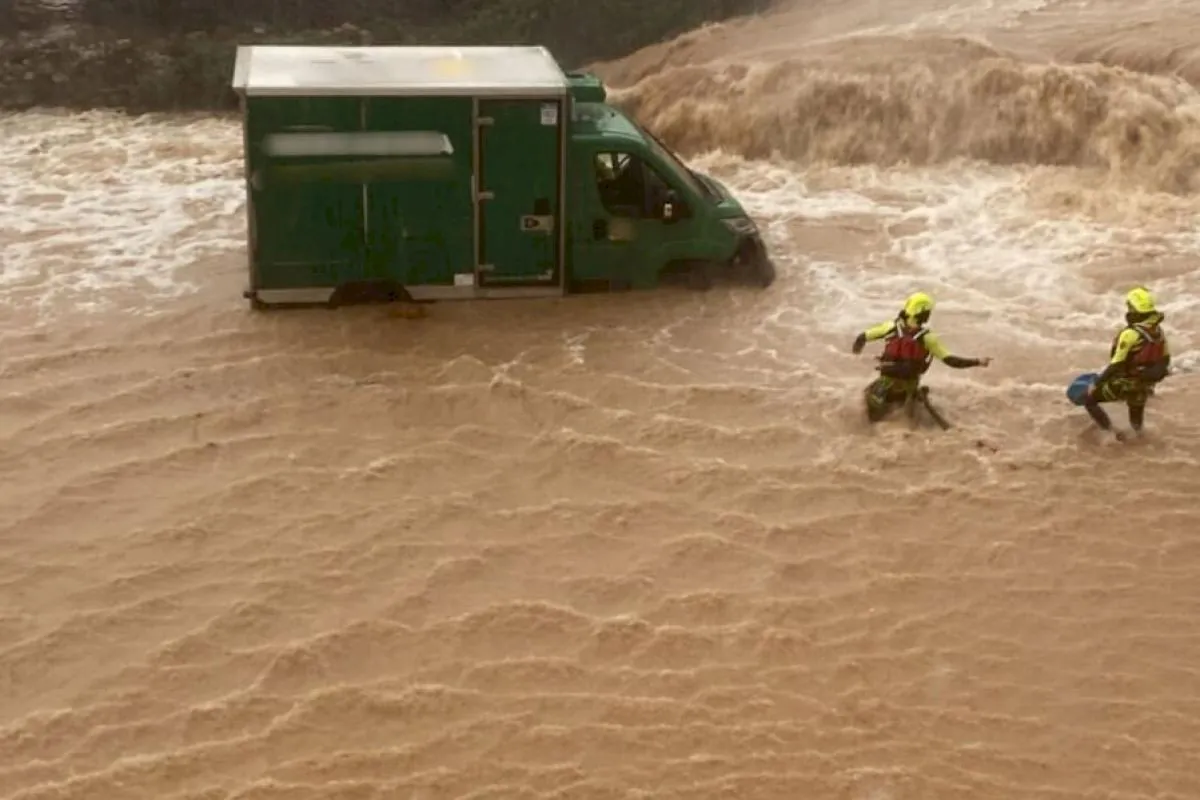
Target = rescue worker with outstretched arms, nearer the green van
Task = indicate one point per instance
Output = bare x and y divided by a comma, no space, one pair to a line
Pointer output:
909,351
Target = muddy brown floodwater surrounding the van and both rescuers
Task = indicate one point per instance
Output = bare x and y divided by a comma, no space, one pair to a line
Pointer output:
643,545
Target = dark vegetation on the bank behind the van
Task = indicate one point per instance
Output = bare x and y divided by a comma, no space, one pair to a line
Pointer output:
145,56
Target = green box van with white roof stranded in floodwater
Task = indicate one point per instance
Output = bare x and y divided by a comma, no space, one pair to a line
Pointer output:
441,173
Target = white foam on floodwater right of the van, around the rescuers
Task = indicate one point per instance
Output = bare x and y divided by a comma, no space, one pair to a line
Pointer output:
1003,269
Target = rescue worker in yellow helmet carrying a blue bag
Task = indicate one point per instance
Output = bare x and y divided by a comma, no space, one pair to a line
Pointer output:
1138,360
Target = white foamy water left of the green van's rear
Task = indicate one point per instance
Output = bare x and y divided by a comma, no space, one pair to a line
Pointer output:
95,203
